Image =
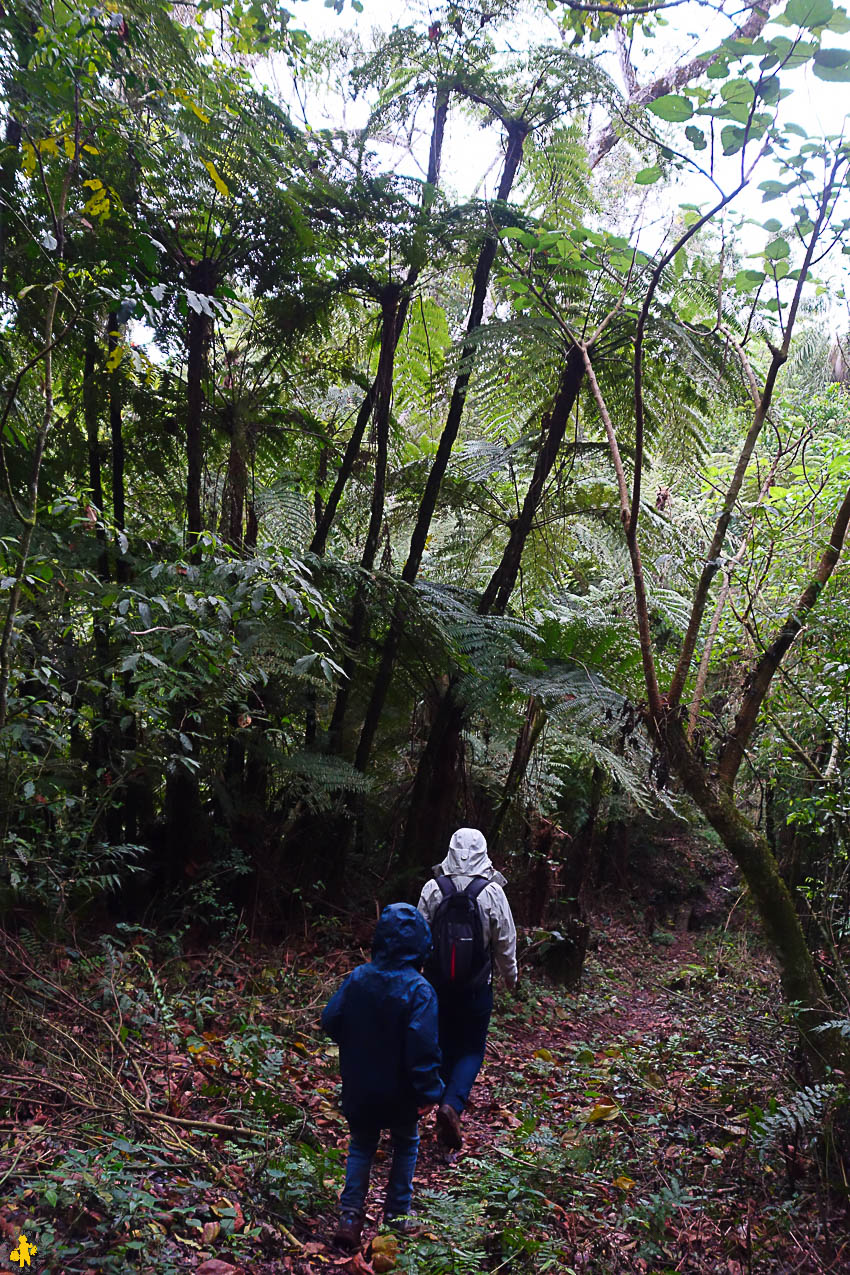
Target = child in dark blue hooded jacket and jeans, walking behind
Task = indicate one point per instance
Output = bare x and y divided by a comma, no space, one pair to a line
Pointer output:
384,1019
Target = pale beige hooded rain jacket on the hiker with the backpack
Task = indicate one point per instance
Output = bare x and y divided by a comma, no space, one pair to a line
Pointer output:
466,860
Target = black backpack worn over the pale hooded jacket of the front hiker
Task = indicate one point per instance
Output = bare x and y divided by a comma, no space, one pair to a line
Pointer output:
461,961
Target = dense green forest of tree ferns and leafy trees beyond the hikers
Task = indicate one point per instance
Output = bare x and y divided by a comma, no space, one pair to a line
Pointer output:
347,498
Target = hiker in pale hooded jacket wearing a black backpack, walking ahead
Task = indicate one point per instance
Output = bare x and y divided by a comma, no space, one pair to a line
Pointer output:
472,928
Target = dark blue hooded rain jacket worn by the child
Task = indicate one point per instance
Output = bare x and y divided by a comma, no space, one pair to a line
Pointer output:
384,1019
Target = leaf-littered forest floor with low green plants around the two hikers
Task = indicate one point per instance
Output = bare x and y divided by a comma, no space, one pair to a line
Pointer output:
165,1112
